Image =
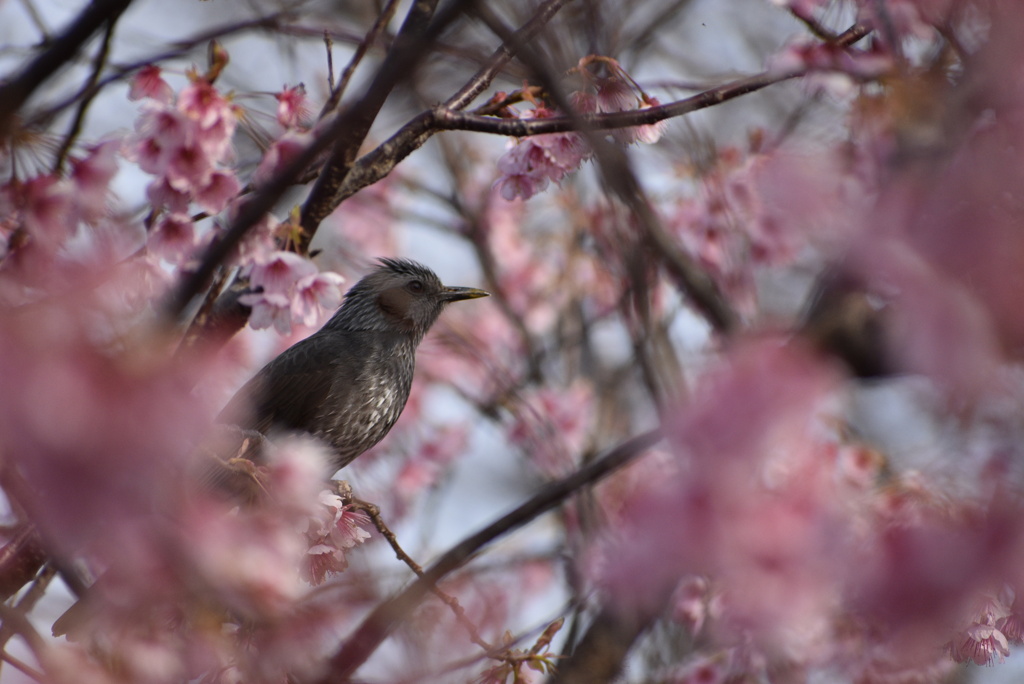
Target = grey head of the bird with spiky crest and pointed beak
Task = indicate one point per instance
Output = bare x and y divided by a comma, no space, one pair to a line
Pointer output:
400,296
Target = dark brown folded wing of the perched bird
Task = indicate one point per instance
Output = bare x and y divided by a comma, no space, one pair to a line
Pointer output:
292,390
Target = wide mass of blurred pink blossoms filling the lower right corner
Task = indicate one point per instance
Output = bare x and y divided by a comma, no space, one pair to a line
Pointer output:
760,546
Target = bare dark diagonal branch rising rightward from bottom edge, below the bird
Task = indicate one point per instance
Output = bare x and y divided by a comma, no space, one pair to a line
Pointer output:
383,620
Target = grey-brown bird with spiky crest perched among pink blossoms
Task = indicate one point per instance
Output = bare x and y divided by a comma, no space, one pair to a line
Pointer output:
349,382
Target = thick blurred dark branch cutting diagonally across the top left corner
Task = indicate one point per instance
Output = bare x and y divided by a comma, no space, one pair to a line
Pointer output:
61,52
